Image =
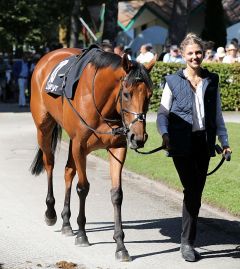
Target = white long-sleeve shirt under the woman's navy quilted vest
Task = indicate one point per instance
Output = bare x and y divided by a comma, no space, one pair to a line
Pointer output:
198,113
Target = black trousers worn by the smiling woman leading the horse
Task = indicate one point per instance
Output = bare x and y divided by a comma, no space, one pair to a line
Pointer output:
192,170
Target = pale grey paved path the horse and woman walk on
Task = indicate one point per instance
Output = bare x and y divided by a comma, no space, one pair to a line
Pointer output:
151,214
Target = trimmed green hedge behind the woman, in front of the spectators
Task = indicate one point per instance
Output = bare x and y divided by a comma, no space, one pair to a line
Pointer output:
229,75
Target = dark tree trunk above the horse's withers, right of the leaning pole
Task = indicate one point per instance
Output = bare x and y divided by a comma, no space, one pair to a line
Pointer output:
110,21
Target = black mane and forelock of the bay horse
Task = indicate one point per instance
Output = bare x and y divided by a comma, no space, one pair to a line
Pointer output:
137,74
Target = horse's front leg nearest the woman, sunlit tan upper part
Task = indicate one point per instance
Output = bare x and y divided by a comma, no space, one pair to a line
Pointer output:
117,158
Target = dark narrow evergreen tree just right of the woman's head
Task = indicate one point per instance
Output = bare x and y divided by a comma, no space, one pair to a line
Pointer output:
214,27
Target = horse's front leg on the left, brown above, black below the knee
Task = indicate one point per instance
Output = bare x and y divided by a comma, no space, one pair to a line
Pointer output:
83,185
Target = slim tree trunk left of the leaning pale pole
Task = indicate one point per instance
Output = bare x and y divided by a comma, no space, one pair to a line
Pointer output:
75,24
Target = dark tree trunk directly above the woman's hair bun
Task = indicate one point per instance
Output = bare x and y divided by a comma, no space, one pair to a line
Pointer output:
179,21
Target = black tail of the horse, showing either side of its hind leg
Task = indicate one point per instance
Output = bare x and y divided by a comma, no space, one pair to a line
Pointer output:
37,166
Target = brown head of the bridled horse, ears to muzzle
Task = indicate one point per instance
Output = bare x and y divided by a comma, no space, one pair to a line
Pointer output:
135,96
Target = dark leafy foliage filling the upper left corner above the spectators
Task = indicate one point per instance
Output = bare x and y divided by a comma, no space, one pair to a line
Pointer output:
31,22
